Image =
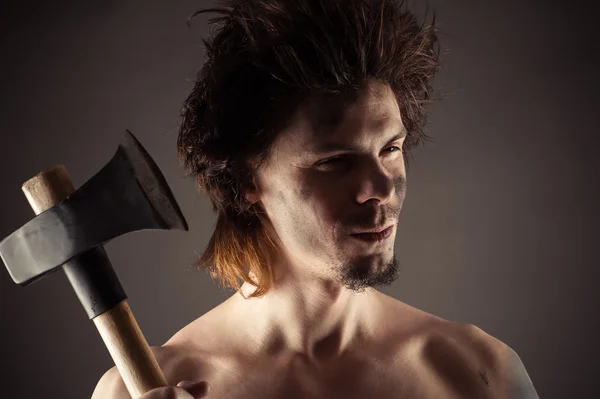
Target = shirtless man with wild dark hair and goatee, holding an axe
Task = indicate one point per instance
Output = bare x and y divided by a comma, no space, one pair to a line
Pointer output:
298,130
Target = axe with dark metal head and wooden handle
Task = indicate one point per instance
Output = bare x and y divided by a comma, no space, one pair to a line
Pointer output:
129,193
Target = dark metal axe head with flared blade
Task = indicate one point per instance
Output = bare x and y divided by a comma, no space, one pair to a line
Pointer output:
129,193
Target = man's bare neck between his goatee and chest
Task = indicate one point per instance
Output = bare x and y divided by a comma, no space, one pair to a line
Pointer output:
314,318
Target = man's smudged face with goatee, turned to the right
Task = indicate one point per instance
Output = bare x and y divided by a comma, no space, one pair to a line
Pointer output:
319,188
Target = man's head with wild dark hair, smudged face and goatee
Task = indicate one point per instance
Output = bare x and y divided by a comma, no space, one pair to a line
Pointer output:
285,80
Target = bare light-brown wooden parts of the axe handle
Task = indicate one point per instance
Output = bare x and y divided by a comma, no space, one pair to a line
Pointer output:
119,330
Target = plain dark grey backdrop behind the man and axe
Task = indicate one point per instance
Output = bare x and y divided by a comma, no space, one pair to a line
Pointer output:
499,227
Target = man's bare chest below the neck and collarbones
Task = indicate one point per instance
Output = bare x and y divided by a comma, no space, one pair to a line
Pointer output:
418,359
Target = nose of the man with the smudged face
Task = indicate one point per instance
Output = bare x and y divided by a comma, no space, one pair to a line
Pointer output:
375,183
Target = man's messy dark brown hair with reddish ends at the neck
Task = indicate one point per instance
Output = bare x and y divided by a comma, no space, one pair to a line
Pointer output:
264,60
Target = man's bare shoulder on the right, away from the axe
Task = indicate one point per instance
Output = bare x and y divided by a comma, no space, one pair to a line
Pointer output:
464,357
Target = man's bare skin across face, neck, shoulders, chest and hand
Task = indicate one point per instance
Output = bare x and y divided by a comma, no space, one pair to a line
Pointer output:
324,331
